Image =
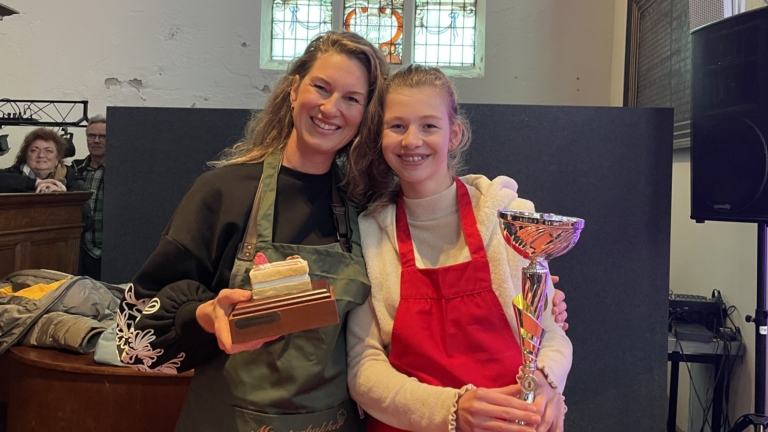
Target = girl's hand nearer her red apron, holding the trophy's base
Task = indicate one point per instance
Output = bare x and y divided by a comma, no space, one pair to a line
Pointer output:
495,410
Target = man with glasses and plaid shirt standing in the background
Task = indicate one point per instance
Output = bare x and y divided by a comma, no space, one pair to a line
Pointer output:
91,171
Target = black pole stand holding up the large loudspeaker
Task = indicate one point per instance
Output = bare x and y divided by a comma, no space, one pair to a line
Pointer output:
759,420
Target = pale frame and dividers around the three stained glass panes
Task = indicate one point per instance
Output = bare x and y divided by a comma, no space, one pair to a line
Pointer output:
475,71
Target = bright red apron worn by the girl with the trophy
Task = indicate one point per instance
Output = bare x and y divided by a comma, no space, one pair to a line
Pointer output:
450,329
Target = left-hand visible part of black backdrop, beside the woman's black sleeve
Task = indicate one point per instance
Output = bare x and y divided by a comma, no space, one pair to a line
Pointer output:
155,154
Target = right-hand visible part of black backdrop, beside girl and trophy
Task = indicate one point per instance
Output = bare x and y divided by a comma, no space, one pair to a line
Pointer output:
613,168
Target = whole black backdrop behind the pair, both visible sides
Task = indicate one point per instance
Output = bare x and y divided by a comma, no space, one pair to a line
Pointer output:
610,166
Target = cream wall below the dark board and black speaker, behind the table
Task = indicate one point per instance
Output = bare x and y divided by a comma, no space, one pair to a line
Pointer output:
713,255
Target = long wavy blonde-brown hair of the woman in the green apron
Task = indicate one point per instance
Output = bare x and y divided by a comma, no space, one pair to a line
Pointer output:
269,129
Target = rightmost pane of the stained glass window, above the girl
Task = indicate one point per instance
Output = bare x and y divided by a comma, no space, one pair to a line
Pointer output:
444,32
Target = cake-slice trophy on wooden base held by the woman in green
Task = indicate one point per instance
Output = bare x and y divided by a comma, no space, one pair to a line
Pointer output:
284,301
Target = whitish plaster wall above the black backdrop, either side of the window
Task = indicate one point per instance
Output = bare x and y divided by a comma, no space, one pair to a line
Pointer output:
206,54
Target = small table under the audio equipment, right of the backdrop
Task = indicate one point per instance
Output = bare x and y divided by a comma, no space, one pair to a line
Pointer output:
697,352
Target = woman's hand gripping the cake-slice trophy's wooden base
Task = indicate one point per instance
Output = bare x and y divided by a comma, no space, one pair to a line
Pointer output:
213,317
